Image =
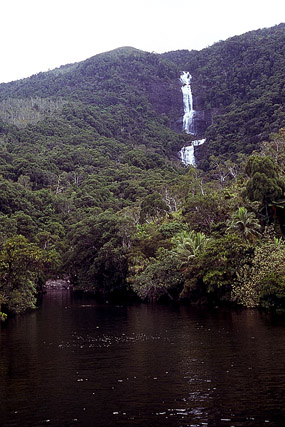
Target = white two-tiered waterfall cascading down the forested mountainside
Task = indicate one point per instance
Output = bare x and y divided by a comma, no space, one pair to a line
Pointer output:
186,154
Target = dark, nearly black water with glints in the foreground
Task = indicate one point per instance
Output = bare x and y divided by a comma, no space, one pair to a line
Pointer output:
74,362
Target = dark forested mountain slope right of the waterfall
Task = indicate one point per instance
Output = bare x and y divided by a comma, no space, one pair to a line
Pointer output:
240,82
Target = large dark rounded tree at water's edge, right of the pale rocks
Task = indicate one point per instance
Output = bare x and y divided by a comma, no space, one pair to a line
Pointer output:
97,256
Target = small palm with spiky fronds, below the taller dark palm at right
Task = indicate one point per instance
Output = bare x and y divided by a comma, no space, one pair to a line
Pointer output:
245,224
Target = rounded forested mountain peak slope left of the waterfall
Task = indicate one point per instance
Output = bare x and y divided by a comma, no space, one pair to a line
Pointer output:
124,76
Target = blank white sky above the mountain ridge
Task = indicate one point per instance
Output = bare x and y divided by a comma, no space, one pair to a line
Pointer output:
37,35
